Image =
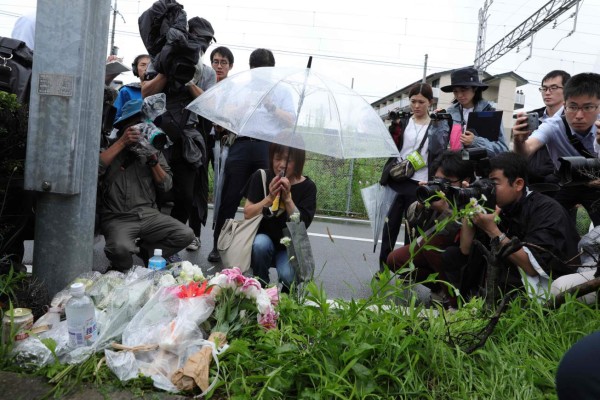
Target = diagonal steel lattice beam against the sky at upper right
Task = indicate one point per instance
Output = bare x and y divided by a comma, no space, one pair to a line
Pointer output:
539,19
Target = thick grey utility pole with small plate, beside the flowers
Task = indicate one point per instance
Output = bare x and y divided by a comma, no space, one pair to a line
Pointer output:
64,135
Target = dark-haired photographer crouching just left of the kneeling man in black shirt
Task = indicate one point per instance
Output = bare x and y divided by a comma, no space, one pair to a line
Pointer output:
450,171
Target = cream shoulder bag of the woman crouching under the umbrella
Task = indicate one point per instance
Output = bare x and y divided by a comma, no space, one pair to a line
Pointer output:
236,238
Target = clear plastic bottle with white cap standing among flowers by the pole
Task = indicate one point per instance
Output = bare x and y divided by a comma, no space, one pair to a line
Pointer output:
81,317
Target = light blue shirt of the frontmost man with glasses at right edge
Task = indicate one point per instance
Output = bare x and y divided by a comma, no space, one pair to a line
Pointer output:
553,134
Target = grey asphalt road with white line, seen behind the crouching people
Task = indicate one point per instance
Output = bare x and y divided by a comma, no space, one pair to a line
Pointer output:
342,248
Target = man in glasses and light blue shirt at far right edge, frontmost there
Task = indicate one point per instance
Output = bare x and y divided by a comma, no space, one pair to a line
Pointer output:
570,135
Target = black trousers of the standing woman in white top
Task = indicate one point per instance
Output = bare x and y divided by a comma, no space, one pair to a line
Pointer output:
406,195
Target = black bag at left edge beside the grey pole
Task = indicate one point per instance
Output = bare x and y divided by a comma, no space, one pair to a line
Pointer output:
16,60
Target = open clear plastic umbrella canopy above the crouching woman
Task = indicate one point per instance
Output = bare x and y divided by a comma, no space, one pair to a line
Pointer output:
328,117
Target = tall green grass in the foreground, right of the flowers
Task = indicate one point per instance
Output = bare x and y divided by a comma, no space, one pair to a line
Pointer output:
380,352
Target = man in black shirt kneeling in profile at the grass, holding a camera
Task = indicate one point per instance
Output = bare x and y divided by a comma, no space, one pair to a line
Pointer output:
530,216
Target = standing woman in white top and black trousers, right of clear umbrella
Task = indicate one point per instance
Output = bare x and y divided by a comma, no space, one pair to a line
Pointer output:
414,142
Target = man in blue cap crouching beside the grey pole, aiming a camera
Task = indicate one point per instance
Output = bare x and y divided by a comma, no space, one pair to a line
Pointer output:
129,174
